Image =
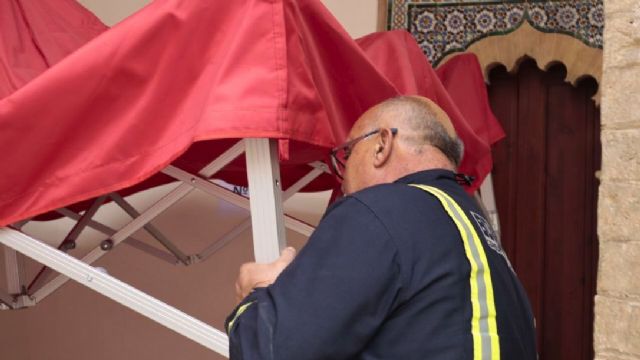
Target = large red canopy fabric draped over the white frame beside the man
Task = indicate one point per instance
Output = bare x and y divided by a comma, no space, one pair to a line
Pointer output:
182,80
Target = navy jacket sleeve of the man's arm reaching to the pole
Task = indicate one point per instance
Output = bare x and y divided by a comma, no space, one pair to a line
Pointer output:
329,302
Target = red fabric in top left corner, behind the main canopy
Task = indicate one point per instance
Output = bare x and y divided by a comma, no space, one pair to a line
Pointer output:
34,35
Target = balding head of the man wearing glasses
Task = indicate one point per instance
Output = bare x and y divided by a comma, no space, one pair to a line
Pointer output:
425,139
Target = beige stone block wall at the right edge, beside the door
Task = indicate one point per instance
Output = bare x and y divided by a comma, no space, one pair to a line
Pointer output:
617,324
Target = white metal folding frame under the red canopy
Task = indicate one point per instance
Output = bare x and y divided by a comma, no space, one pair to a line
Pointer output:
267,220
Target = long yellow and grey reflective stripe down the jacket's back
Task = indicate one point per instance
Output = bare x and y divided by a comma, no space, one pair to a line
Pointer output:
484,328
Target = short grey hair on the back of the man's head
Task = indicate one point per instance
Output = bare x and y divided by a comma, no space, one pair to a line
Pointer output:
425,127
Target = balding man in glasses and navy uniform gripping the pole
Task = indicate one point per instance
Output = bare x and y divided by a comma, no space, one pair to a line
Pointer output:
403,267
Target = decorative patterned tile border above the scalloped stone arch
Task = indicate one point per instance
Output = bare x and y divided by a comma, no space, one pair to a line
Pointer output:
443,27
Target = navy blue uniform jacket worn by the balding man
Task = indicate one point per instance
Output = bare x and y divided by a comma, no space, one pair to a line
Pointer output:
384,276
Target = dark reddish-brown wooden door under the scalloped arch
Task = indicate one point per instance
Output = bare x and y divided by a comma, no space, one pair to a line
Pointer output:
546,192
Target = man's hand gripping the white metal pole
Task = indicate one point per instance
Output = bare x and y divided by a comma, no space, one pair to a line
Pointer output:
253,275
